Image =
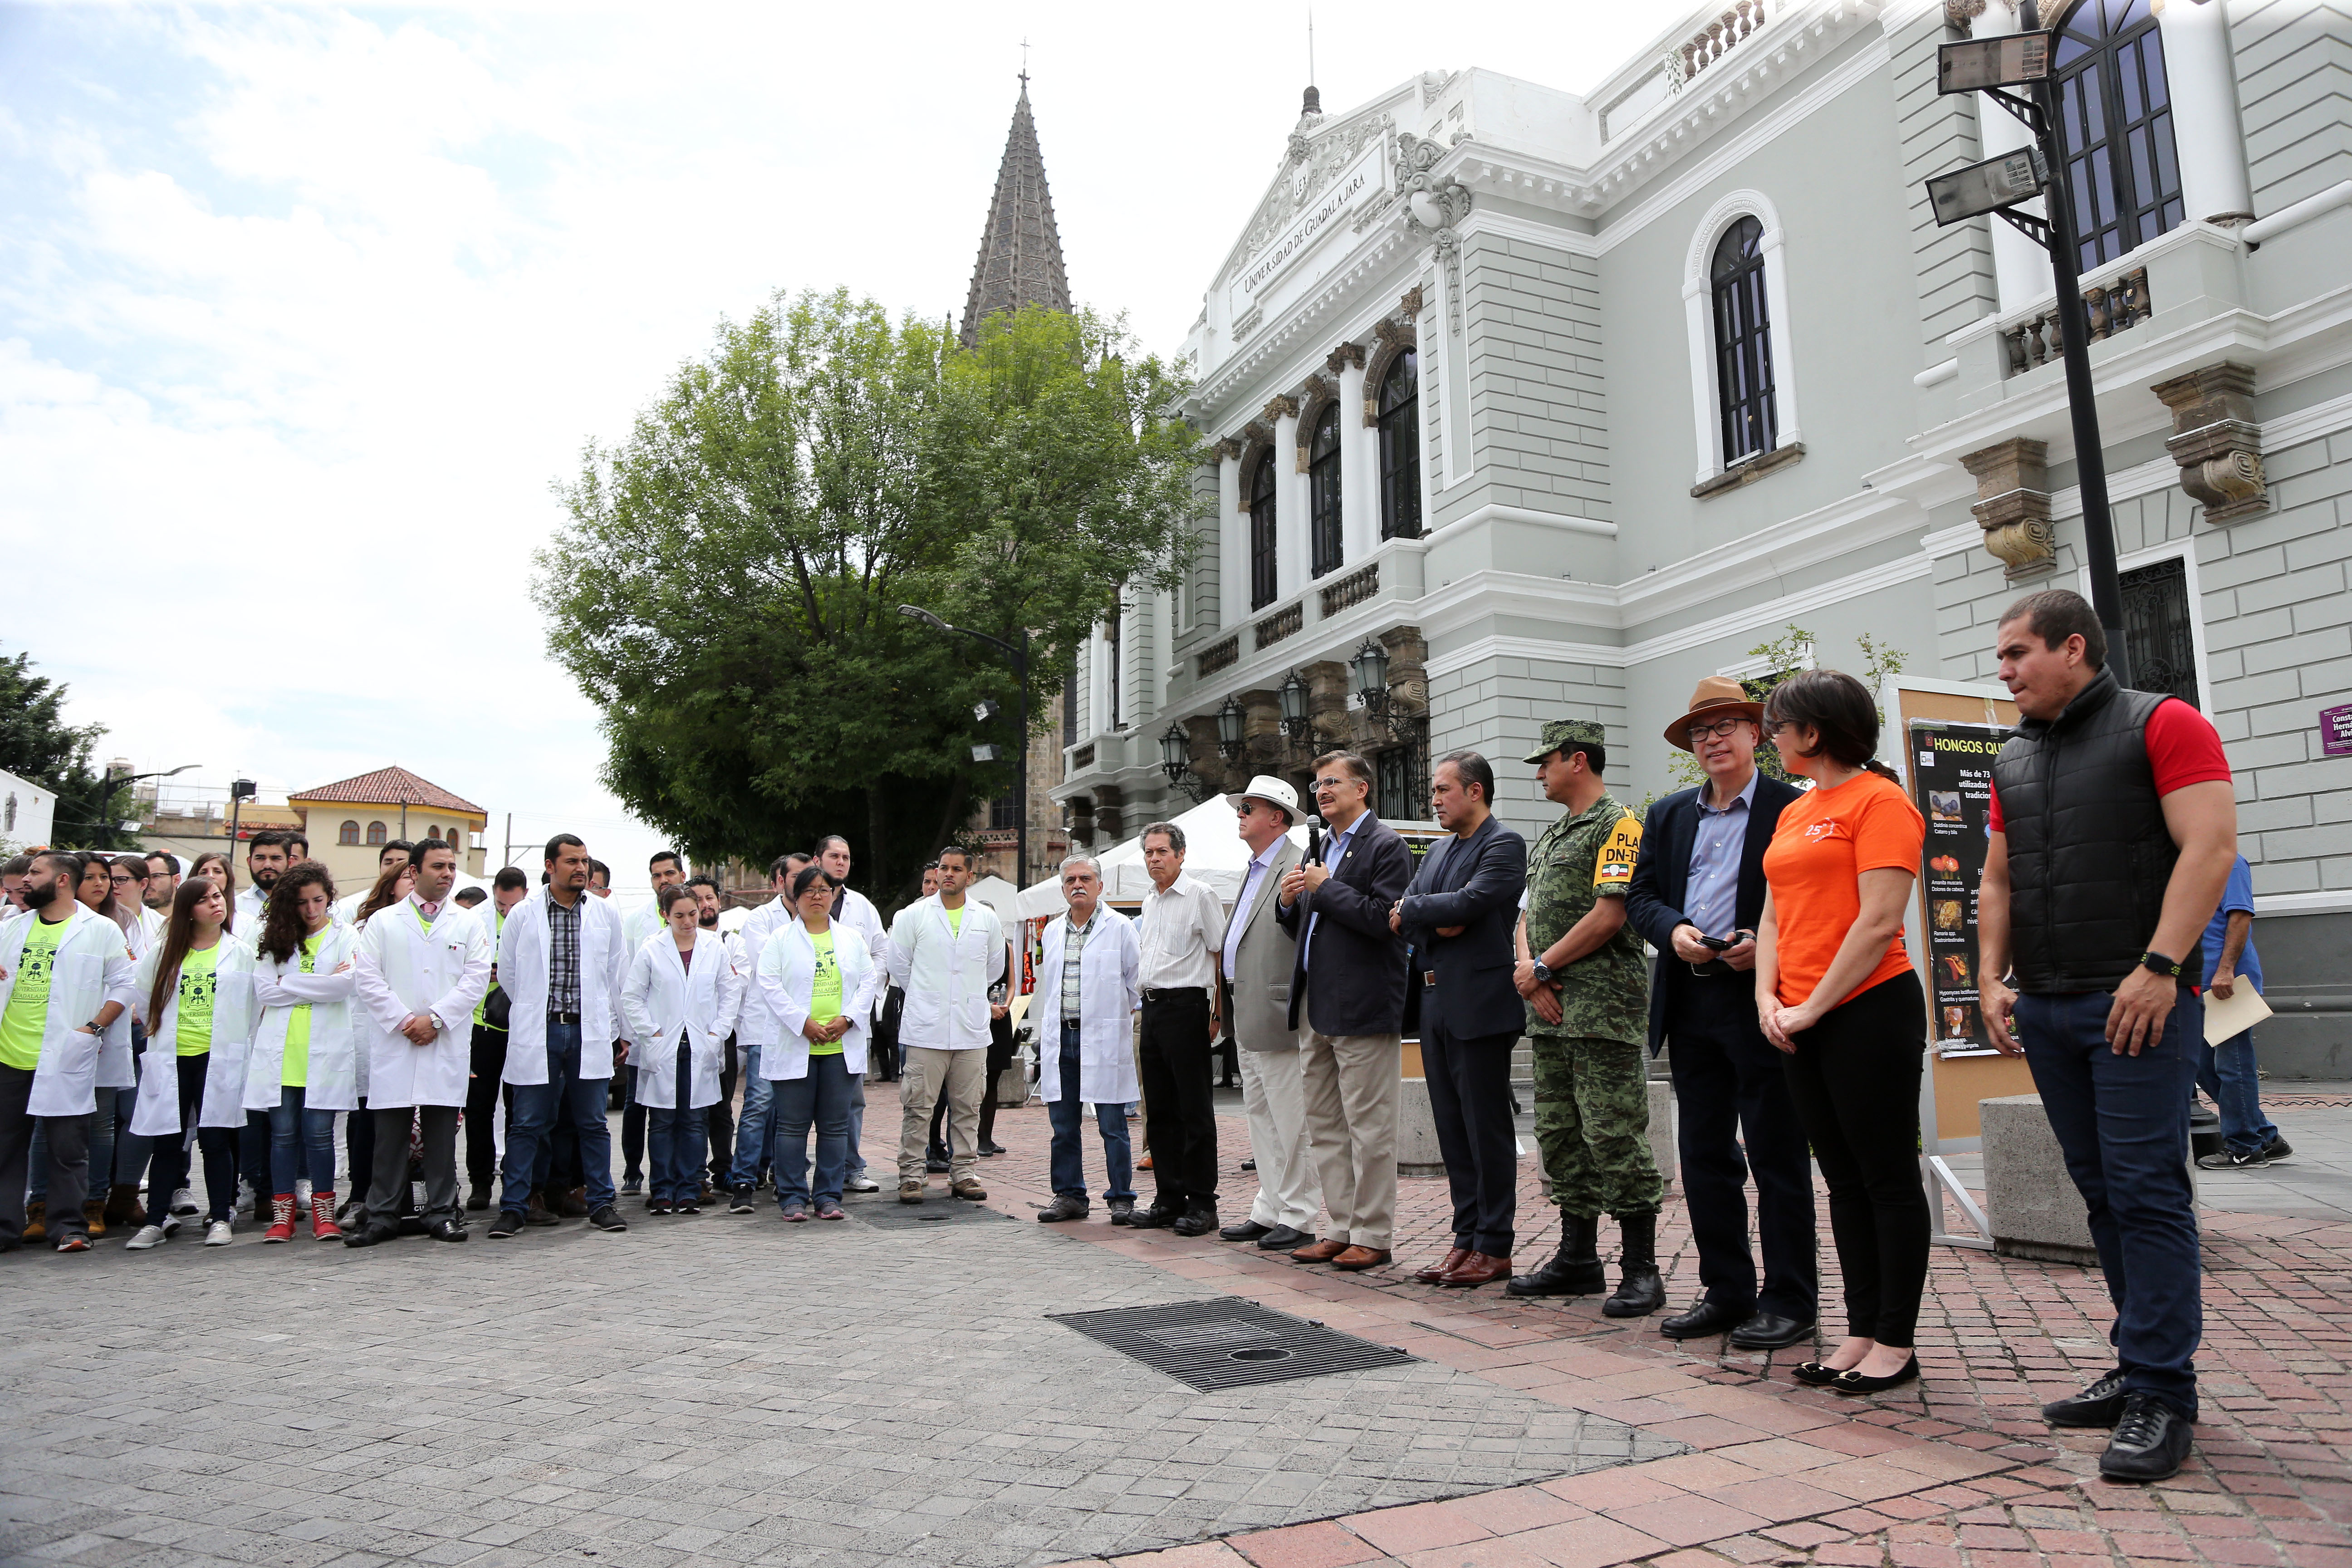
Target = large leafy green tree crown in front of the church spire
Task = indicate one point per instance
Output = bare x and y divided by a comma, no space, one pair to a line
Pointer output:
728,579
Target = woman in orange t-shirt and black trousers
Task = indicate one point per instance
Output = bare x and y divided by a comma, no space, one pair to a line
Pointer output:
1838,996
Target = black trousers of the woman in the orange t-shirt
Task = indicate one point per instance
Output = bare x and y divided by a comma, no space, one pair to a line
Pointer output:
1857,1087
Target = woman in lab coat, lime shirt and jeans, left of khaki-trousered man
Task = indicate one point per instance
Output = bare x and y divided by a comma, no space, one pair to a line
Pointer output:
822,979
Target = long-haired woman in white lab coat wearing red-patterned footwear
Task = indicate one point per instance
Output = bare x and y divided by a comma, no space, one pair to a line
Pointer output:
305,1061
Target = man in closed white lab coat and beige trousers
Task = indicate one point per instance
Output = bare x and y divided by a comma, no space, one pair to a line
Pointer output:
947,953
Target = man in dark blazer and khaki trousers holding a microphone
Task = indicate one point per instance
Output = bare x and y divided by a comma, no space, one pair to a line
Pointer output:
1351,981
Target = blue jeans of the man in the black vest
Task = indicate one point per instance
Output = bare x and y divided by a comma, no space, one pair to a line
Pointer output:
2125,1130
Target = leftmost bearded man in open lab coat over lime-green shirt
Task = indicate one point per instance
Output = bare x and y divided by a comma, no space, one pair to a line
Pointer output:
65,979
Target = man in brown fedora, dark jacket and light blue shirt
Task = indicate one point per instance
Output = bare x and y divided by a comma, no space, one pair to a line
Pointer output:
1697,897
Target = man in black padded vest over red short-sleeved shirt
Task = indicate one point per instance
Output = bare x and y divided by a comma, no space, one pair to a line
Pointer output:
2111,838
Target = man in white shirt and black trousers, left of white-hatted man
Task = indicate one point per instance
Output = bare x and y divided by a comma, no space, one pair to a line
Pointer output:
1182,930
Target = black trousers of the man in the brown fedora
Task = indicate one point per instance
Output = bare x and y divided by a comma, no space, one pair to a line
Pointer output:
1737,1120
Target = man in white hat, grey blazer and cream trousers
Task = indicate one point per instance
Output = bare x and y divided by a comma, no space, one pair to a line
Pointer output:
1255,972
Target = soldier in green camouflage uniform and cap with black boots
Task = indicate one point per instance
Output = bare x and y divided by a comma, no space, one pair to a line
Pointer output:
1586,1017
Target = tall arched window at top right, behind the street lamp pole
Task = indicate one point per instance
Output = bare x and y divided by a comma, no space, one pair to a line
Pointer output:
2116,128
